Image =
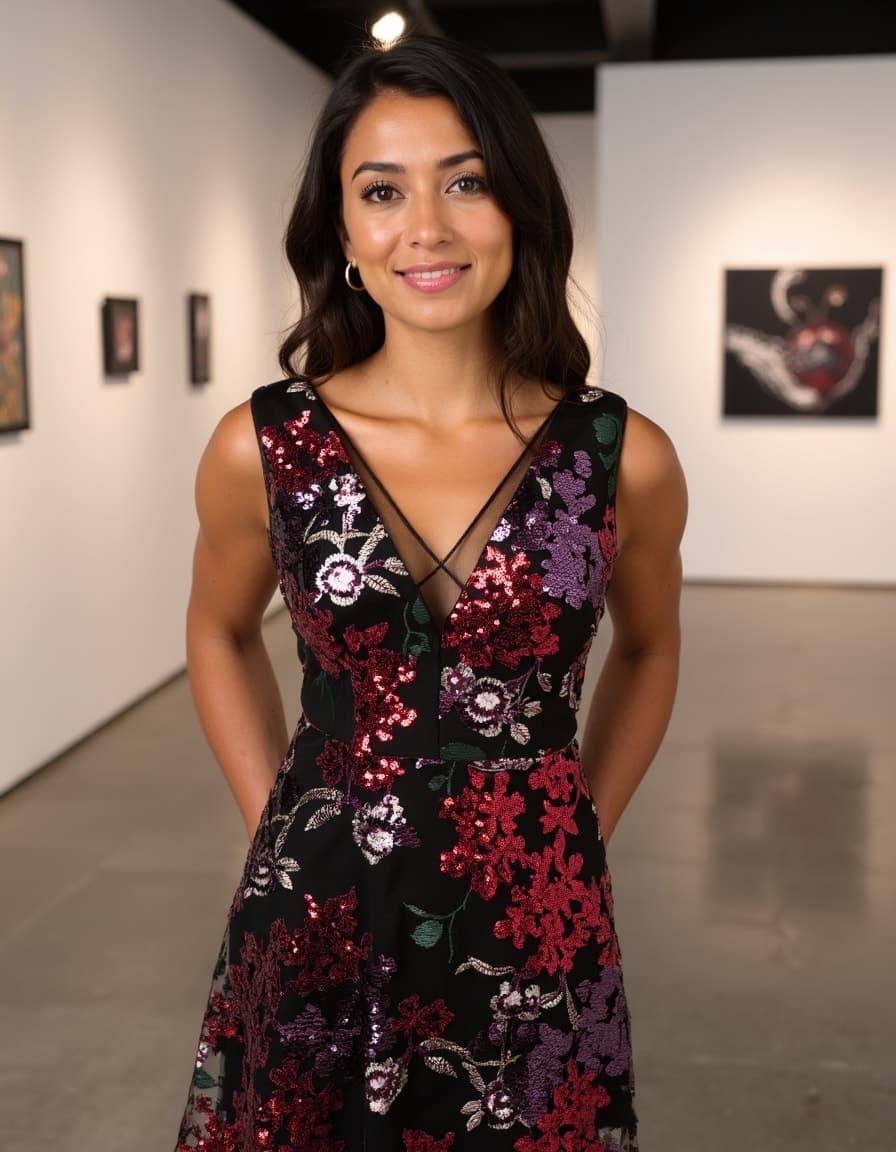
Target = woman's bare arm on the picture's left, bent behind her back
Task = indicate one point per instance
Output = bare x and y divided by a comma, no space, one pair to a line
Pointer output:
233,684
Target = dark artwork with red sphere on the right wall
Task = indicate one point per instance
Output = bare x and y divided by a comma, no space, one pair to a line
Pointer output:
802,342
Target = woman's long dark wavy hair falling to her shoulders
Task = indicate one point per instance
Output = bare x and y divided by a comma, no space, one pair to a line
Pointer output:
537,337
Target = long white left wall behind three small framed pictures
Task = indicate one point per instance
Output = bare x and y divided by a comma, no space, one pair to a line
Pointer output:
148,150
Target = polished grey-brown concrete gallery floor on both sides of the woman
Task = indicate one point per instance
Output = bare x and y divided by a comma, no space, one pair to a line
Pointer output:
755,878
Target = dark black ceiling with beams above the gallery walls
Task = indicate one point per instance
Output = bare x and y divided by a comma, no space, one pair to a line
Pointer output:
552,47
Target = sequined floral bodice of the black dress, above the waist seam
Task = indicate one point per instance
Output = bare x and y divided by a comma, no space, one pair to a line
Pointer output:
528,611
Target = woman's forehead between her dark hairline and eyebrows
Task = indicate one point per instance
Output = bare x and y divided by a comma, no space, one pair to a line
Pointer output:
419,127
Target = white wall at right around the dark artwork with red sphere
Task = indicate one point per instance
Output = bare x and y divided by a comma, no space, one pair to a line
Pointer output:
707,166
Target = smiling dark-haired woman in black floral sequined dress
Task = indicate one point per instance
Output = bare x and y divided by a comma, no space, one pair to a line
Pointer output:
421,954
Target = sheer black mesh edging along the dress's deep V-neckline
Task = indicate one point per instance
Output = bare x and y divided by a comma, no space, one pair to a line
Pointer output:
348,448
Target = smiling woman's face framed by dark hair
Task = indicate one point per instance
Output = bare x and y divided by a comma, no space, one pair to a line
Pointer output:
434,248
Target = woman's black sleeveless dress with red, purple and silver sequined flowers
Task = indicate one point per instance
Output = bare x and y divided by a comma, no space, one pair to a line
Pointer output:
421,956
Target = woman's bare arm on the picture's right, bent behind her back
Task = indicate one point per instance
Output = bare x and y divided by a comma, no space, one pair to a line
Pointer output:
636,689
